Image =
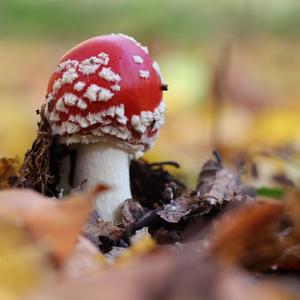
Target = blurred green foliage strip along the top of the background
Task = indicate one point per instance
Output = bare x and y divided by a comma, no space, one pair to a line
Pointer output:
167,19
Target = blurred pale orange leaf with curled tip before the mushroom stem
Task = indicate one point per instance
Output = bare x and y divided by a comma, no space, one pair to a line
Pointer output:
57,223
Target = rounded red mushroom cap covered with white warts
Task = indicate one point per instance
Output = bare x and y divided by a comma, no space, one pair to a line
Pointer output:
107,86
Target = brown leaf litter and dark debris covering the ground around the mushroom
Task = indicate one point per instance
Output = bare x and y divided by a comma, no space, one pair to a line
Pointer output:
214,242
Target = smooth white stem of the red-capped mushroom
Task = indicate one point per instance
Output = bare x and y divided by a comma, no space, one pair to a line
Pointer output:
103,163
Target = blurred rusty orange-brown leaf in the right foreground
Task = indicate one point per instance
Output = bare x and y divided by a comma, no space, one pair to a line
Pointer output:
246,236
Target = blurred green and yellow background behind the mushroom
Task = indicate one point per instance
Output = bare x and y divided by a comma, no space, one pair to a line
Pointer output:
233,69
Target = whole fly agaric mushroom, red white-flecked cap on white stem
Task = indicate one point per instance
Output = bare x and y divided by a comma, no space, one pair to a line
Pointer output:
105,99
